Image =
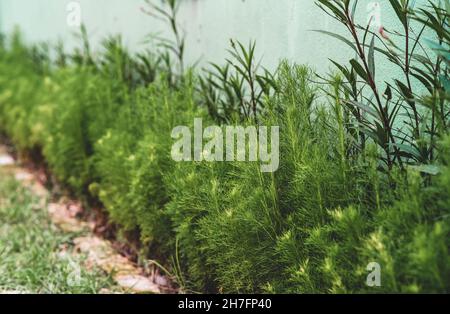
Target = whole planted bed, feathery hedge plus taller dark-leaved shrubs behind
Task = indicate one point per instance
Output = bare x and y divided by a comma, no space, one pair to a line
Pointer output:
362,188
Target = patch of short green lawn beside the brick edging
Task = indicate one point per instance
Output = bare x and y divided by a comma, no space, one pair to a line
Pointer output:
36,257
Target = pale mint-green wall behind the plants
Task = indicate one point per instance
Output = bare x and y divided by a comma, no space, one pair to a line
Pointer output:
280,27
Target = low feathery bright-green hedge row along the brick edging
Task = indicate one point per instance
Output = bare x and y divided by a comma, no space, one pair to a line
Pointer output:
311,227
